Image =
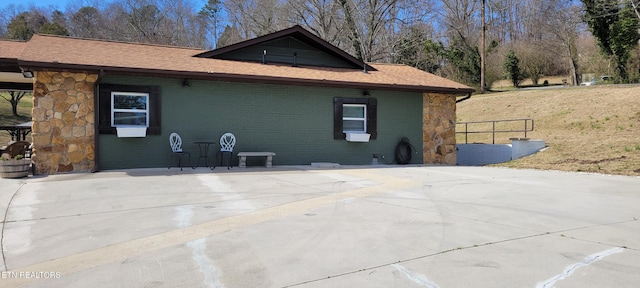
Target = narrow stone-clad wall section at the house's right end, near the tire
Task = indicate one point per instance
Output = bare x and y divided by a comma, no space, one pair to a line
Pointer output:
439,129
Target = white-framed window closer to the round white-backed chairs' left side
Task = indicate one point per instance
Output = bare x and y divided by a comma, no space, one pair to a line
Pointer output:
129,109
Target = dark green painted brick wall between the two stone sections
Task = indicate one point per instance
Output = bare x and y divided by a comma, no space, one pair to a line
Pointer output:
295,122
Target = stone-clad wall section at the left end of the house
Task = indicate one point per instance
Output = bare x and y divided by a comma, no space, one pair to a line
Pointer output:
63,122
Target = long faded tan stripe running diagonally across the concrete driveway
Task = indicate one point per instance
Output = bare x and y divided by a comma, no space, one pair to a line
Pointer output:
121,251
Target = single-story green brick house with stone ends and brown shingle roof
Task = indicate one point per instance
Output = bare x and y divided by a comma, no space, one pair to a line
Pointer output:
288,92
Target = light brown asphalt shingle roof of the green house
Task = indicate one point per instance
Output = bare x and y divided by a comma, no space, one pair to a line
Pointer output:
52,52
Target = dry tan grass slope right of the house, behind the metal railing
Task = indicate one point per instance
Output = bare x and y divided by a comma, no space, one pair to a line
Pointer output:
588,129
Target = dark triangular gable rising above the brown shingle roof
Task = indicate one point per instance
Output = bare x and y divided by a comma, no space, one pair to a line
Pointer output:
294,46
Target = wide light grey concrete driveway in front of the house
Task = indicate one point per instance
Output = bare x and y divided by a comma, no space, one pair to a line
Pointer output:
377,226
